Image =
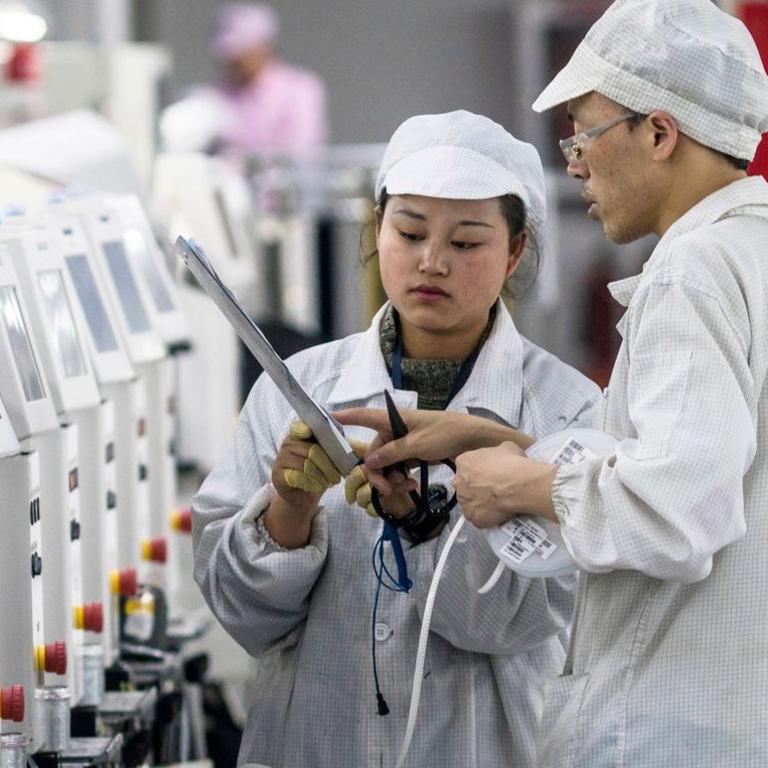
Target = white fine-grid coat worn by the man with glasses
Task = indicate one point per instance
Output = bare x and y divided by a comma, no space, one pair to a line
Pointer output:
668,664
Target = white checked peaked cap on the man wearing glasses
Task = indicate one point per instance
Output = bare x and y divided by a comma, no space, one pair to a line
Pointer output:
686,57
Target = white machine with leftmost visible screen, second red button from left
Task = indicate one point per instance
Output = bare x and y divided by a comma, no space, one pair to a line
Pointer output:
30,410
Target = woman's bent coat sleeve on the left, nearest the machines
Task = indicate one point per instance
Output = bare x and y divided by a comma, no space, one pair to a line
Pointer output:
257,590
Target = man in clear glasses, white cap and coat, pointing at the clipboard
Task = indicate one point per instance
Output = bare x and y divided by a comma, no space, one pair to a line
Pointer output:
668,664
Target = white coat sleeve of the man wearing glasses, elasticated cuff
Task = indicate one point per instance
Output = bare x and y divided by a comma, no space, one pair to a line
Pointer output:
672,495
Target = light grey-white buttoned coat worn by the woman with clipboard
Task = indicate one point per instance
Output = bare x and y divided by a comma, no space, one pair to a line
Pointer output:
305,614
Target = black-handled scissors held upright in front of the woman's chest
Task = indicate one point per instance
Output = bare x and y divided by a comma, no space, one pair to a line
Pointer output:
431,506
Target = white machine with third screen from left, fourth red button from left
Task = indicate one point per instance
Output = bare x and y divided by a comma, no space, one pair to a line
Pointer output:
119,540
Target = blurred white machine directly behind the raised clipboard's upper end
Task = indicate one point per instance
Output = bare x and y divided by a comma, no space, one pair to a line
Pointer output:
203,198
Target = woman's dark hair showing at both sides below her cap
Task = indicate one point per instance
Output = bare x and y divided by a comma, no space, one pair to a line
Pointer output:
515,214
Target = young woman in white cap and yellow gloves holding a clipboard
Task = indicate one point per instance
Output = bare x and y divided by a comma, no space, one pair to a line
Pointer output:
284,560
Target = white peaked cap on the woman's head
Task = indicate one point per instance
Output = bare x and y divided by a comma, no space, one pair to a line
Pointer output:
463,156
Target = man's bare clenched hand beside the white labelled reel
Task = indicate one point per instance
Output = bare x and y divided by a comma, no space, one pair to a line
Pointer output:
495,484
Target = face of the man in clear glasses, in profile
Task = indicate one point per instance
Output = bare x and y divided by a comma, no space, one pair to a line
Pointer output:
616,171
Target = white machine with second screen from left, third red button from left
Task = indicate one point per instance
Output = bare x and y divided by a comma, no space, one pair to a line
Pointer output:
58,327
